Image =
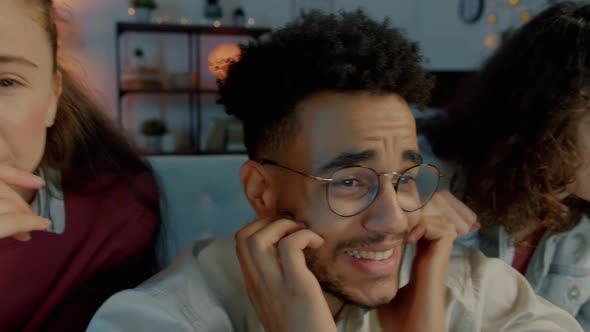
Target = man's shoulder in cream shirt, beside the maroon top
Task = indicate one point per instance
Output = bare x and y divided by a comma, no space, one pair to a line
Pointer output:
201,290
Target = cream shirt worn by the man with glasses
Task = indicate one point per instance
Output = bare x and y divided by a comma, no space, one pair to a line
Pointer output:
204,291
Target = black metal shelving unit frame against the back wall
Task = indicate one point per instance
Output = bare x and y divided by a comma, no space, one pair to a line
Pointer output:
193,36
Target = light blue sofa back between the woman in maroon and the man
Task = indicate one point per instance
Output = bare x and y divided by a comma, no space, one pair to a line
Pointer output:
201,196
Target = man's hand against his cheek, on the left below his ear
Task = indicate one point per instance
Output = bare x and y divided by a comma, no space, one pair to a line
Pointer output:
284,292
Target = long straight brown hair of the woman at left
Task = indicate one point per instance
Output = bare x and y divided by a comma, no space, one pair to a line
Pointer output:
83,142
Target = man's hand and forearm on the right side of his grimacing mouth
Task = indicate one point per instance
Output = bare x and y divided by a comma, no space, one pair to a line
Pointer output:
420,305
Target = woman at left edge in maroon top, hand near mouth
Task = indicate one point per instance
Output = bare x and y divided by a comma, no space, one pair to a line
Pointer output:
79,208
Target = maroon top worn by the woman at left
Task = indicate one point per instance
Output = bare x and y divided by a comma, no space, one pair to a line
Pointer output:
56,282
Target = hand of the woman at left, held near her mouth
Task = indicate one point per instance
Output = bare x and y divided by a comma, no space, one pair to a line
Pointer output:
16,218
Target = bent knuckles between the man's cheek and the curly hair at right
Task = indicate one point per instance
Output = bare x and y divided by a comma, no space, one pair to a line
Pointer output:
444,204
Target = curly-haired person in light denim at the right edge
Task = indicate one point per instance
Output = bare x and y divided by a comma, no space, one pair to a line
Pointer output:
521,135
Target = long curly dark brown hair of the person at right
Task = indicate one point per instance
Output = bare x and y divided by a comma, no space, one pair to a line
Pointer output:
514,130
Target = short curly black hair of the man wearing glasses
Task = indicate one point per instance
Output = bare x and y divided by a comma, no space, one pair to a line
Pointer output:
347,52
